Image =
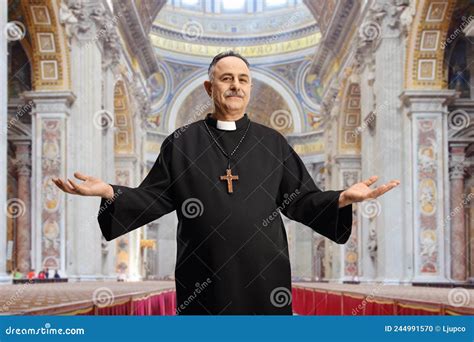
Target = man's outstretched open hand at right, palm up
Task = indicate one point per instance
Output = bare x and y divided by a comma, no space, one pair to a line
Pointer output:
360,191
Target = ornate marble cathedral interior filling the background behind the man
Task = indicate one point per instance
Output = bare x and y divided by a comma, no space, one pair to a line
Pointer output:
358,88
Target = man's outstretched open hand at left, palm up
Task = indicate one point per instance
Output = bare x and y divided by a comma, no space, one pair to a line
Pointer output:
90,186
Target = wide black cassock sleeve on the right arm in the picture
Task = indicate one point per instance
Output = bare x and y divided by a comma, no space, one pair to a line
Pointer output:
301,200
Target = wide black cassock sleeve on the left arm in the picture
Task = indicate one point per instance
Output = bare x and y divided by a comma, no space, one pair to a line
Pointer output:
132,208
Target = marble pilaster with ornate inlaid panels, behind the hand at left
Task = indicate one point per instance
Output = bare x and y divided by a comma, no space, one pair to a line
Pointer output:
49,159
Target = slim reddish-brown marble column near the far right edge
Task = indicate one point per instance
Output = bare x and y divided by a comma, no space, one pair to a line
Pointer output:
455,220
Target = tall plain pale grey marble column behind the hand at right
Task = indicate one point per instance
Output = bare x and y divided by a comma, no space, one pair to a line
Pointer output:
388,139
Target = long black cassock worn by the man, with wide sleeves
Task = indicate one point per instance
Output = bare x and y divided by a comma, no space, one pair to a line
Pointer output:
232,250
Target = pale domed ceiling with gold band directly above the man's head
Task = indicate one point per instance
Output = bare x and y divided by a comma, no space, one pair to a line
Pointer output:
255,28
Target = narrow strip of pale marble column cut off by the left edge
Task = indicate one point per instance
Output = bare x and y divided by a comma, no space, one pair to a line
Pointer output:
3,140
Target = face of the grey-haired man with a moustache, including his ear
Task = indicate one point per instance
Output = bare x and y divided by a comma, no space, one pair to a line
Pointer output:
230,88
